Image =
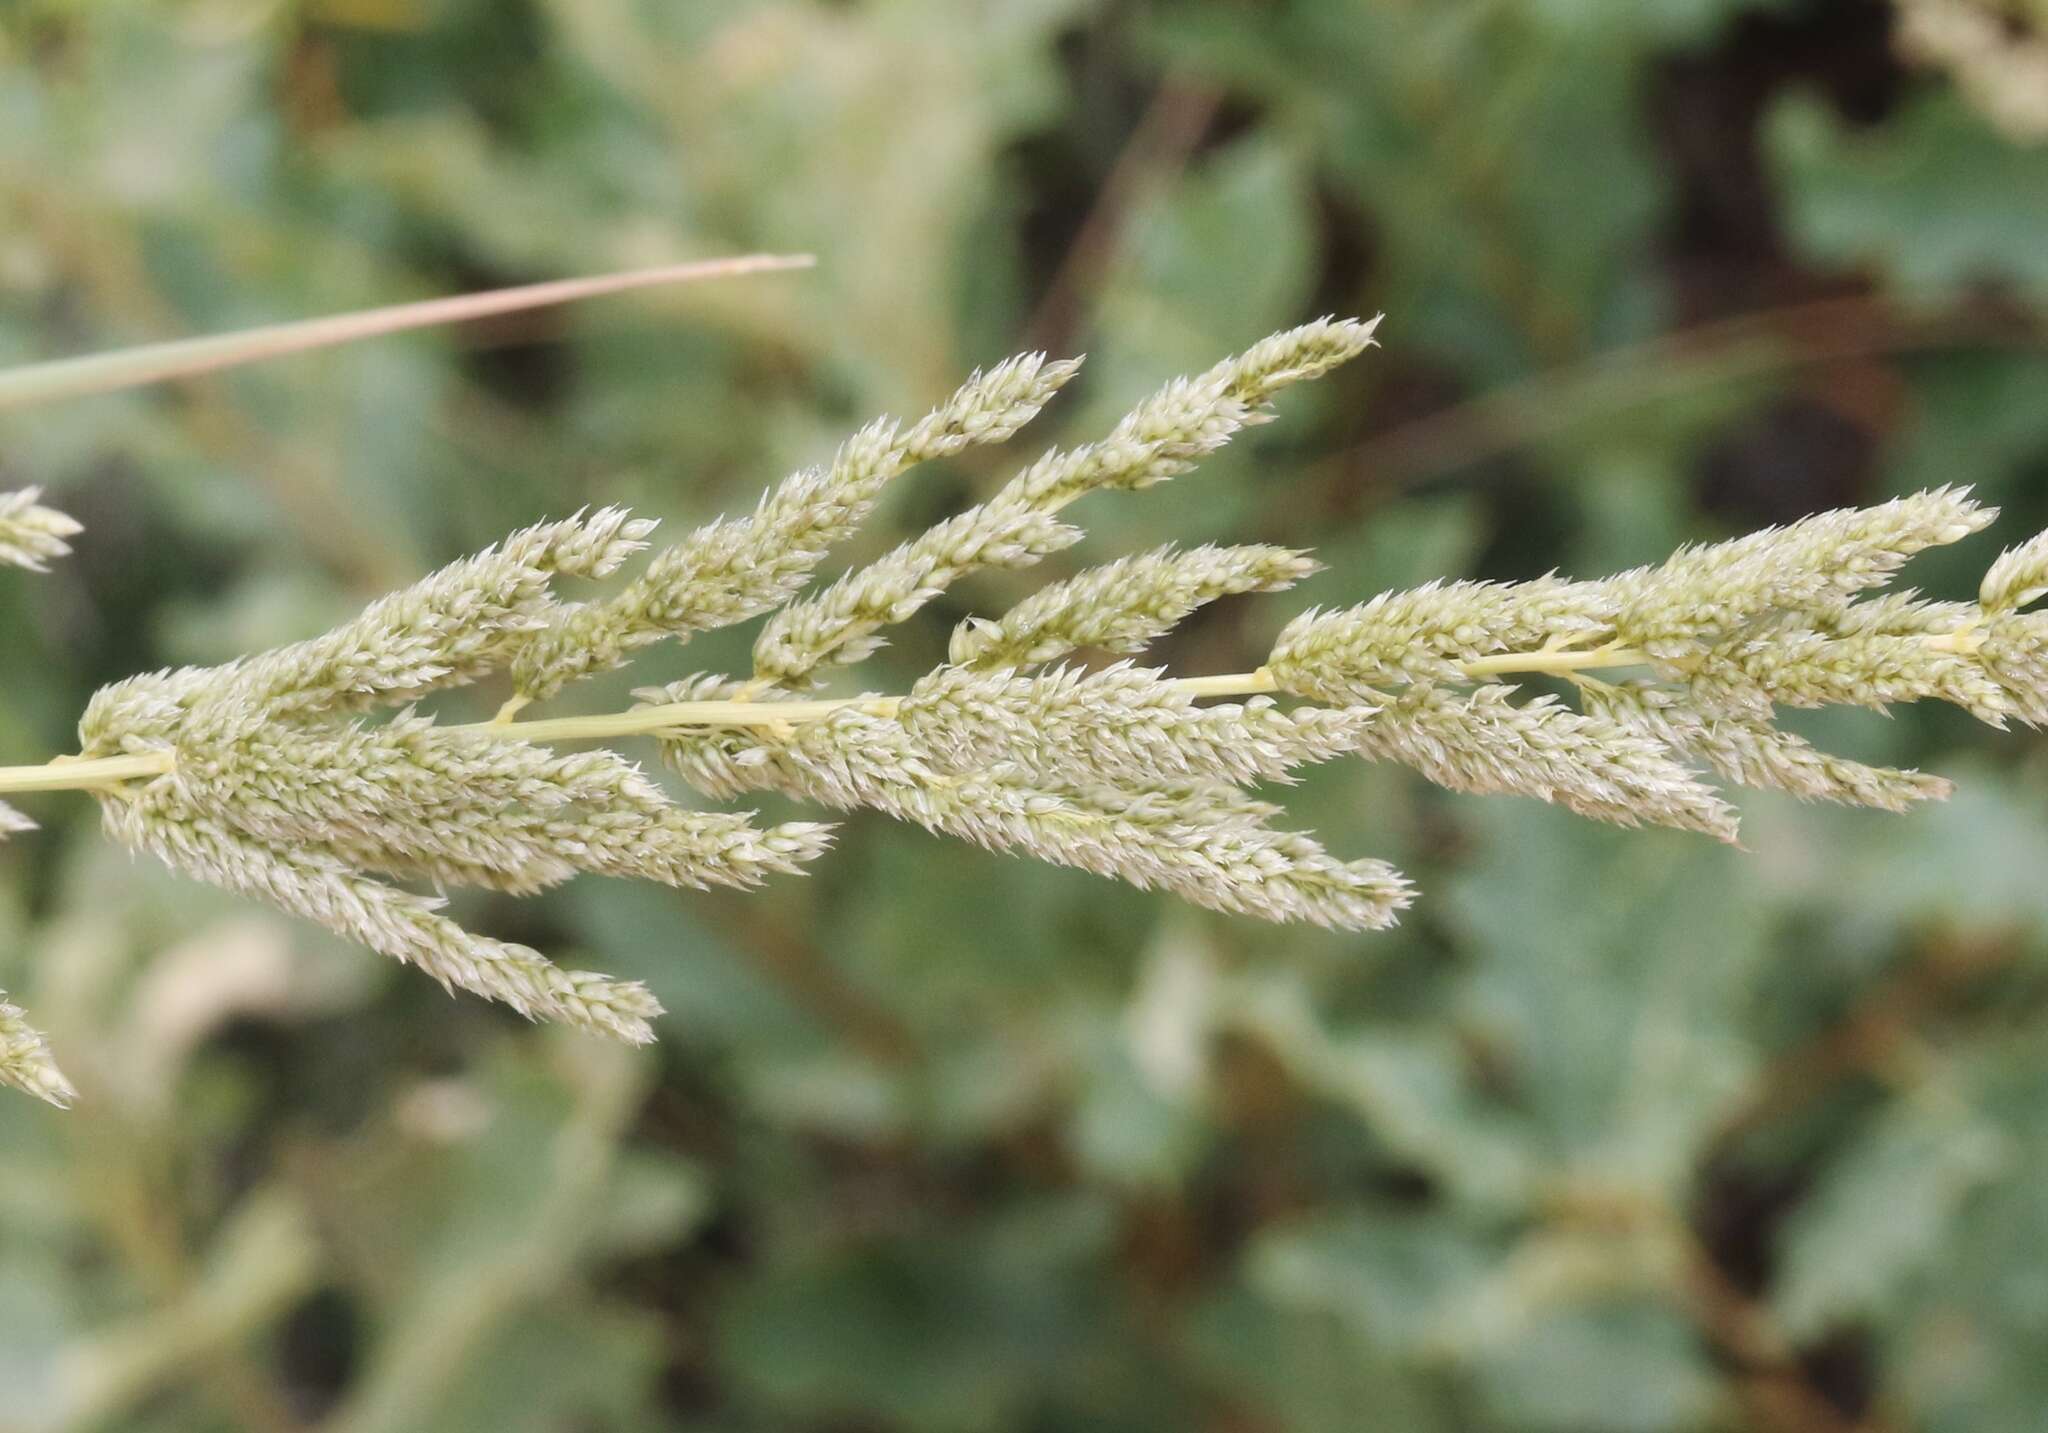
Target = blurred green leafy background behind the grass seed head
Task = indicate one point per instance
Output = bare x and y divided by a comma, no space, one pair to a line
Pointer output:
1617,1133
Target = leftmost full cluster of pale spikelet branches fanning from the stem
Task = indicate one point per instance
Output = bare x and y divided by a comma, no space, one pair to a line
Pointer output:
275,791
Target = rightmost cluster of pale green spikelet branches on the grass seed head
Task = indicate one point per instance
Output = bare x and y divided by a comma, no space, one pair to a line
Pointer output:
1730,634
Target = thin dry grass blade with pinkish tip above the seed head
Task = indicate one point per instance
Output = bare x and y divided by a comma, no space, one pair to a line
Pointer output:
130,367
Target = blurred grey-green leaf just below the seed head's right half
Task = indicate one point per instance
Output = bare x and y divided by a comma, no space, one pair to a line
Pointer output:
1613,982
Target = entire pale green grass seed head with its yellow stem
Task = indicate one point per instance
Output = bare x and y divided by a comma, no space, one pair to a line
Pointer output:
265,777
